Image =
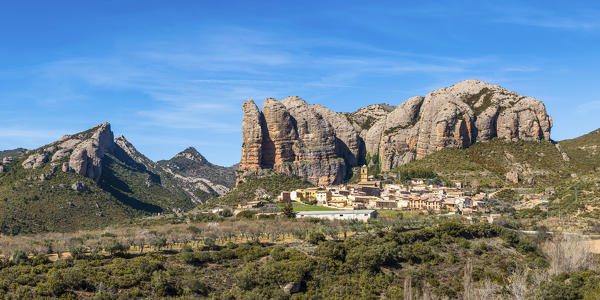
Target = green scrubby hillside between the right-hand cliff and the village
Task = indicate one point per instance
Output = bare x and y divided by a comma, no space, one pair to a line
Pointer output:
500,163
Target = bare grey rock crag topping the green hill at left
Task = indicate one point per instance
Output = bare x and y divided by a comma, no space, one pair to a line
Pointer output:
86,159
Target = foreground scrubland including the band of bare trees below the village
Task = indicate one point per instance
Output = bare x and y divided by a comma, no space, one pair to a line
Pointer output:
420,258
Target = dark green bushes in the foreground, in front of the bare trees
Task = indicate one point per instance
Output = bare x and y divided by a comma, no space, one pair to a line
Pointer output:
445,260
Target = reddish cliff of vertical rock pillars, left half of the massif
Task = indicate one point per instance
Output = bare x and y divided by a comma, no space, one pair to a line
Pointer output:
297,139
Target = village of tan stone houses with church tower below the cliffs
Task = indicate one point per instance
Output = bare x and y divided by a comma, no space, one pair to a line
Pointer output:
368,195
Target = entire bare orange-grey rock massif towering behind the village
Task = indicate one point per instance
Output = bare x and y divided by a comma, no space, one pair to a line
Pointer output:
310,141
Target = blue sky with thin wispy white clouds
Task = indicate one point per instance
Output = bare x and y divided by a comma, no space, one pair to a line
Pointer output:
173,74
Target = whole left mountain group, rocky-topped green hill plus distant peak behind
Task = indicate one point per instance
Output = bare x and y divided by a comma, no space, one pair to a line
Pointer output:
89,179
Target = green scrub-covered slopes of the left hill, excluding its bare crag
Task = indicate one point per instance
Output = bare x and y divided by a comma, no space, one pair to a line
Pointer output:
43,198
